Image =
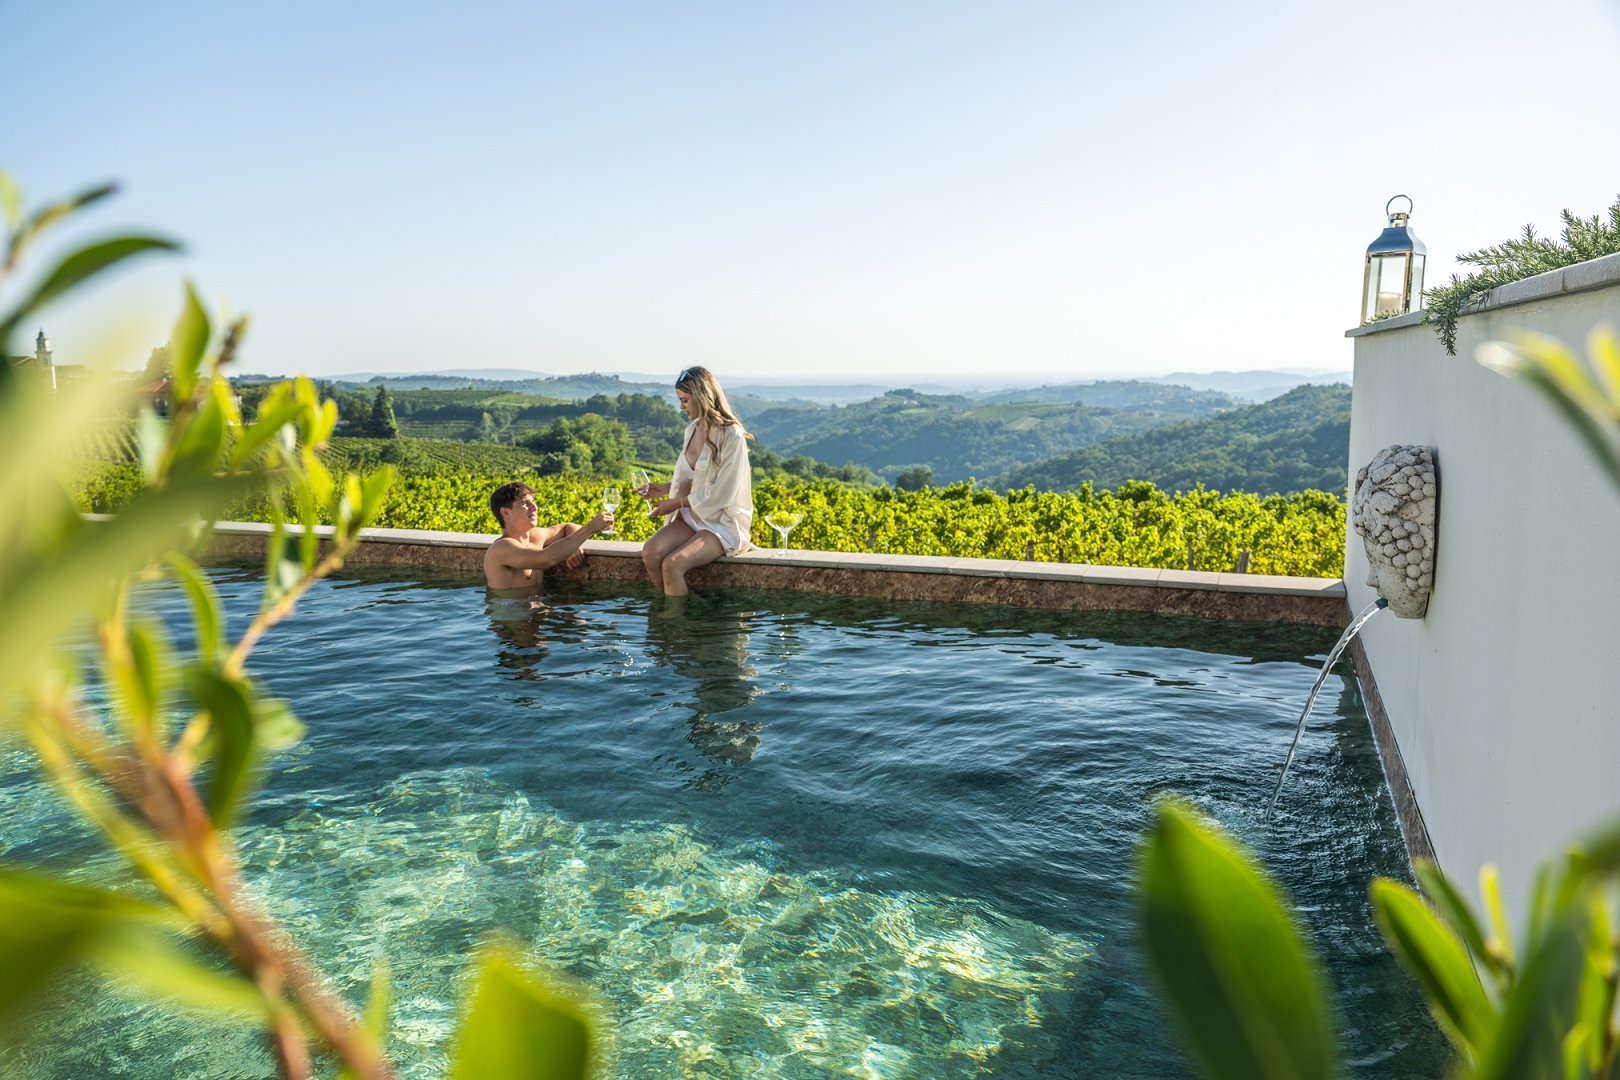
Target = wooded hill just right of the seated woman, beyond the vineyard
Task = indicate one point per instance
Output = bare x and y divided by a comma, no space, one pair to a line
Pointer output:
952,435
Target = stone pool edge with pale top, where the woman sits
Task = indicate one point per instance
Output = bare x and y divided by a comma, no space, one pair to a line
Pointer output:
1065,587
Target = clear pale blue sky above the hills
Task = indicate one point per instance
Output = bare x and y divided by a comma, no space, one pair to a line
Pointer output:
829,190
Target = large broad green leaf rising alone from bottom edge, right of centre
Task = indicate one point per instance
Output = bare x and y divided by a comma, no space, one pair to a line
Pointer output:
1235,969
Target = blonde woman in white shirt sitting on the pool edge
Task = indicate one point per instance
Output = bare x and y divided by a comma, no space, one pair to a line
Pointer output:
709,506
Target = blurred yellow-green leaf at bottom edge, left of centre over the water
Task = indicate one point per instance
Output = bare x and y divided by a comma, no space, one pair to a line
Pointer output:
518,1029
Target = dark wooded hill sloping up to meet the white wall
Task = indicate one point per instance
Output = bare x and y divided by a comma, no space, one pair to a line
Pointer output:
1292,443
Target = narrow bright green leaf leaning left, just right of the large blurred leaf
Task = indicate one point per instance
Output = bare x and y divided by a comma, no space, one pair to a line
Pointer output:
1439,961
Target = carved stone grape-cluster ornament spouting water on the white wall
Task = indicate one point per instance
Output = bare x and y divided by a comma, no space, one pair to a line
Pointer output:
1396,508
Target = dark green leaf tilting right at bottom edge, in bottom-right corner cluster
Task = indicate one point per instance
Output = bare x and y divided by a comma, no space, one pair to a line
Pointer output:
1543,1006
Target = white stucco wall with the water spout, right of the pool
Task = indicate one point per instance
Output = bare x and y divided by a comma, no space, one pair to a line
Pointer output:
1506,699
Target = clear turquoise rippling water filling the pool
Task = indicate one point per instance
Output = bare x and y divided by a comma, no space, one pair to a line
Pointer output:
777,836
